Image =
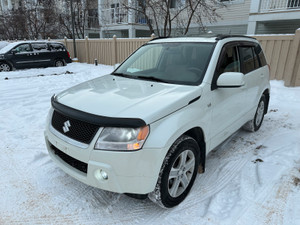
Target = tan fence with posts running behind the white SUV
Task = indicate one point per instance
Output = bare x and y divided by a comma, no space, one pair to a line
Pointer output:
282,53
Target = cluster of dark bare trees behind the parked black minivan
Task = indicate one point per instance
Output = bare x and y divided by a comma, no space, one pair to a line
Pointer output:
43,19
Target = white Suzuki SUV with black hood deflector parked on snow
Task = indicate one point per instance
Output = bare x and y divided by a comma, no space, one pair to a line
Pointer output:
146,129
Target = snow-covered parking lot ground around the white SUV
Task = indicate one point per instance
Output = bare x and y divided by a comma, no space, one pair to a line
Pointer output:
252,178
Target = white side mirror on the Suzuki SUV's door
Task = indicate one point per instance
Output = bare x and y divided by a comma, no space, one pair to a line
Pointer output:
231,80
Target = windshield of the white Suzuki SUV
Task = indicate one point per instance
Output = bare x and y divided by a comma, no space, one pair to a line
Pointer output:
178,63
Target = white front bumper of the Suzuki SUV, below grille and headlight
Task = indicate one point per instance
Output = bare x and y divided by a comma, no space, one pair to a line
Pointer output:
128,172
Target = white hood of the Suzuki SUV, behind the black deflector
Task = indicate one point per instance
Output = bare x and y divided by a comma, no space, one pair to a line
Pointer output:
113,96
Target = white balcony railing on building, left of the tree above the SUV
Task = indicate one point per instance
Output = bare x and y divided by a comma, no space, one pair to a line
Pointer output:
119,15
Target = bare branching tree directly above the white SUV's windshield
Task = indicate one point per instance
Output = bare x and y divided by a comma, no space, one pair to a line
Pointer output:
165,15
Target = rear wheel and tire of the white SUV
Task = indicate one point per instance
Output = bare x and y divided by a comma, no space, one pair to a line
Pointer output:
255,124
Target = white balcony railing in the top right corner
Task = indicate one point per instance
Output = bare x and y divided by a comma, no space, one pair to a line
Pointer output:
277,5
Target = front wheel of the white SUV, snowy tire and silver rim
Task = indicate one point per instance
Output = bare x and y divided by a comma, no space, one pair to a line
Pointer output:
178,173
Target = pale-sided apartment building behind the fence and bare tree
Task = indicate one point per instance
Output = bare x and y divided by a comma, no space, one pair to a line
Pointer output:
237,17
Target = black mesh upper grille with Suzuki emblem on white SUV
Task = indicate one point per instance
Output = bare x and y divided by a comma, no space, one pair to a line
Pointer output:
77,129
